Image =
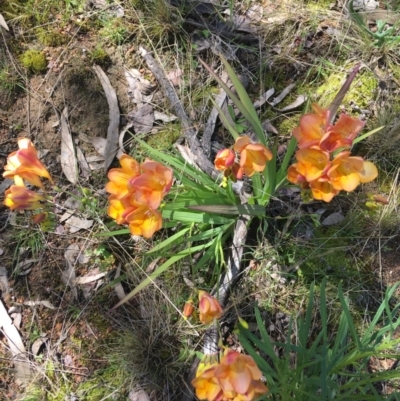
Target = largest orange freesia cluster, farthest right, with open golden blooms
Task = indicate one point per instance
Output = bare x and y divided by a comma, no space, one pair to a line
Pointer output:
324,163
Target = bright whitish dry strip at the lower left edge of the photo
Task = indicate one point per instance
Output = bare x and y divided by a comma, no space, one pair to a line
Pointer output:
16,347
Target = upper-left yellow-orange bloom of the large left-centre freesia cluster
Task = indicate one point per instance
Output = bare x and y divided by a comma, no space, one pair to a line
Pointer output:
119,177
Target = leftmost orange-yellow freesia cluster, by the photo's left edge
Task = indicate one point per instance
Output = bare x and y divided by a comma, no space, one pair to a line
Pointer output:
24,165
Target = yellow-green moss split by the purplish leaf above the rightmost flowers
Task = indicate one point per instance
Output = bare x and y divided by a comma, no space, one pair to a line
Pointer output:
361,92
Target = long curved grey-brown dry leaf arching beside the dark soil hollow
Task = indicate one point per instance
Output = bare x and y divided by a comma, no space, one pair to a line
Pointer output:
112,130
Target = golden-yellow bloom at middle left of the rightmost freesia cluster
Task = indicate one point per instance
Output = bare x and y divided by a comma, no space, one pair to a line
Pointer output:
312,163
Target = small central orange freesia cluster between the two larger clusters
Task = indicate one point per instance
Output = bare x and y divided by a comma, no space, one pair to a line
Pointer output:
253,157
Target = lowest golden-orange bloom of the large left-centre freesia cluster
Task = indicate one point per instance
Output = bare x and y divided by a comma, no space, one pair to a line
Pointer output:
143,221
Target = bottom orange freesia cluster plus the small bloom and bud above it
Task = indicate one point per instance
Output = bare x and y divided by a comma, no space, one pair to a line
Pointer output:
235,377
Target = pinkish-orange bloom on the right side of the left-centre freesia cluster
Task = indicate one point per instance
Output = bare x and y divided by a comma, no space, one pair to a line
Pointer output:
152,185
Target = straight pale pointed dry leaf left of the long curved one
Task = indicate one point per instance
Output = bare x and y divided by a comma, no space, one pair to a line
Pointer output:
69,163
